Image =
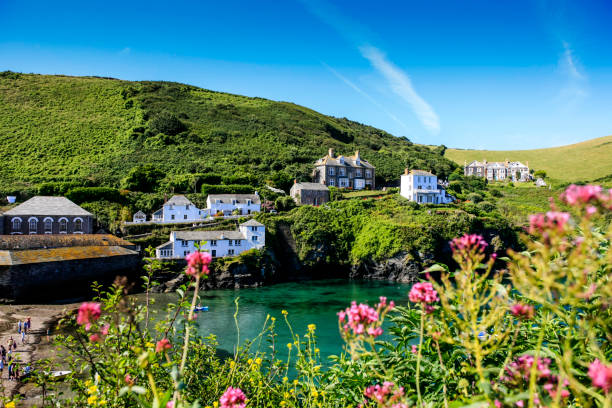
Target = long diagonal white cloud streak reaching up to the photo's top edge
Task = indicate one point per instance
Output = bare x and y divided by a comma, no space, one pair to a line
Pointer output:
359,35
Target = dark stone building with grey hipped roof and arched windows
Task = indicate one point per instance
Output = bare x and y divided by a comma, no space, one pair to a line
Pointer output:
47,215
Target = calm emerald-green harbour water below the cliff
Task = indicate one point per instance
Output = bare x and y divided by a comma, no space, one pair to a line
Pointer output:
307,302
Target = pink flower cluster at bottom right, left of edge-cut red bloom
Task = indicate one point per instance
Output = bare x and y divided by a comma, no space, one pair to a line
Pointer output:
518,374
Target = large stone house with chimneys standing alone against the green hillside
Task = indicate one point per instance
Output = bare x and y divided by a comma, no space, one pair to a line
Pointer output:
344,172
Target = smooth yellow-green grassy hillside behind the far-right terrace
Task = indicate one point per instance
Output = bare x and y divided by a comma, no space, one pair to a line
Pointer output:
583,161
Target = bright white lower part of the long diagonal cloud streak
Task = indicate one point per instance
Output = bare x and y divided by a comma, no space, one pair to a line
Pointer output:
401,84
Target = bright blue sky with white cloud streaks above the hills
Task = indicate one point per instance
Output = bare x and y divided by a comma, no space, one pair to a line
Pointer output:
503,74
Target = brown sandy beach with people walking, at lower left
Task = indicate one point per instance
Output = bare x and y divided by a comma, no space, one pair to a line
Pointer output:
37,344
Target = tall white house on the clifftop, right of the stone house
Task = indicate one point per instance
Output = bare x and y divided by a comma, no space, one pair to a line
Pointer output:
422,187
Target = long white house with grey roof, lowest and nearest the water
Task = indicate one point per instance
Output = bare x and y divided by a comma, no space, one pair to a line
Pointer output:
250,234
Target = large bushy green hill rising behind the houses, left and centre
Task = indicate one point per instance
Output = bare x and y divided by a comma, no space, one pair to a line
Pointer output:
98,130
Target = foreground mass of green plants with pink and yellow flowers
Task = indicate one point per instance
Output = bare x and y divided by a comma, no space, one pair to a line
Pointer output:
473,339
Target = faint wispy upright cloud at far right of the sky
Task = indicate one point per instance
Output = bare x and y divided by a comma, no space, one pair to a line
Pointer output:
574,91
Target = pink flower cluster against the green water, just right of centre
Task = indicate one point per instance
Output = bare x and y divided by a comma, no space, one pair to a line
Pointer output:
362,319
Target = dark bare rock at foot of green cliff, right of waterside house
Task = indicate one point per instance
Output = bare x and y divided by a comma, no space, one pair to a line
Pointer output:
400,268
